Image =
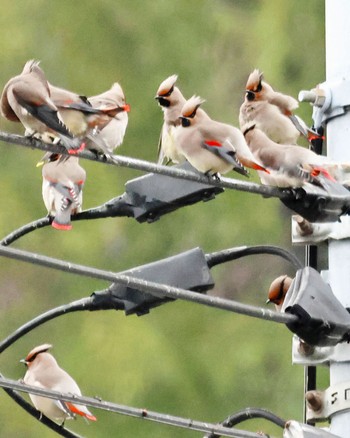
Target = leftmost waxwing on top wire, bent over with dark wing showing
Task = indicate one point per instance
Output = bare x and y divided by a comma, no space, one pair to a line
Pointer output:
26,98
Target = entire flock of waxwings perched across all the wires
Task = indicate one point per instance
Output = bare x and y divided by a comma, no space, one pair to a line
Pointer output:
266,141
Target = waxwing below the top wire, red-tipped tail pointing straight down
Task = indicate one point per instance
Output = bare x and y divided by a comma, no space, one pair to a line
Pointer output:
63,181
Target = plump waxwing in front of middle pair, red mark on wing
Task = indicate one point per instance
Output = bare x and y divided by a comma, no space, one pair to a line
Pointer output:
212,147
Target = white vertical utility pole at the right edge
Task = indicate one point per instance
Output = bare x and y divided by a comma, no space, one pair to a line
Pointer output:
338,144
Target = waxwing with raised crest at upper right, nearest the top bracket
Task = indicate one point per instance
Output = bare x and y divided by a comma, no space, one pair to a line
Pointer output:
272,112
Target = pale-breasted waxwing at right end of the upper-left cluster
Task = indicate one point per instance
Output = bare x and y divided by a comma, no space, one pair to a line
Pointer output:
110,133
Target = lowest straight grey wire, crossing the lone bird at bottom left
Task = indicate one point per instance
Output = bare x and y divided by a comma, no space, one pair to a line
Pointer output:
130,411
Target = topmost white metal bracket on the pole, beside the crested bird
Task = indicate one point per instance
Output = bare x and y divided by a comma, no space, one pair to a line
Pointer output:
329,100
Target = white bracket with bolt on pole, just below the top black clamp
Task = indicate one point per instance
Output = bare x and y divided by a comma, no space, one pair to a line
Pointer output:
308,233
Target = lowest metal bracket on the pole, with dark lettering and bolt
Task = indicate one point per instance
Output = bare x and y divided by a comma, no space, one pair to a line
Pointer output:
321,405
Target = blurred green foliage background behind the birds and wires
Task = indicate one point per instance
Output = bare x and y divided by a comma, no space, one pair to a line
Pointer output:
183,359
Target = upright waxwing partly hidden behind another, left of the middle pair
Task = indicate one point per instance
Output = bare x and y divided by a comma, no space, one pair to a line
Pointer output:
171,100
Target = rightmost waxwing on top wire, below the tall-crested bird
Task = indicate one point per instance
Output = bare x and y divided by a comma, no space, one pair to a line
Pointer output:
288,165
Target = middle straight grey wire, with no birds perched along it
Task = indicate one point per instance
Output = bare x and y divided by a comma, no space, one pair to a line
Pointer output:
149,286
